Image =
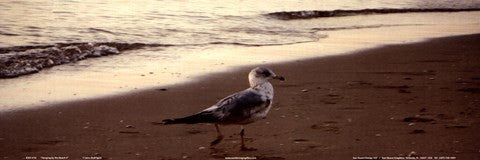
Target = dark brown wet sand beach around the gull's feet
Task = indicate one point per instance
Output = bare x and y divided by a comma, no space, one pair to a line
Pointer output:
422,97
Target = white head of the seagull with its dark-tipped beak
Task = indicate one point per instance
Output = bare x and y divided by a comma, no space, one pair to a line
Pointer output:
261,75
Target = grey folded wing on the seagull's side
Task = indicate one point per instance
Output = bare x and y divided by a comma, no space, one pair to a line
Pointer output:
239,106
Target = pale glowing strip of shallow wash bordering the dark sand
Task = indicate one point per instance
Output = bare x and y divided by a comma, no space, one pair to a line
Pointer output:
149,68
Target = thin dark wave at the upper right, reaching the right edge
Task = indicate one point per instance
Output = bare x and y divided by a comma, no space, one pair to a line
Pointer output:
293,15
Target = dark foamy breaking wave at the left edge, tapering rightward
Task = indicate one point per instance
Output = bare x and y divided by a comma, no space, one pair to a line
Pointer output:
22,60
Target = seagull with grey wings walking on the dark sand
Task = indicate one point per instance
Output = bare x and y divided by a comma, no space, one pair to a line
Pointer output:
241,108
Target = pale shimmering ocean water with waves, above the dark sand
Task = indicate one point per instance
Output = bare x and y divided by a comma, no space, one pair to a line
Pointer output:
59,50
